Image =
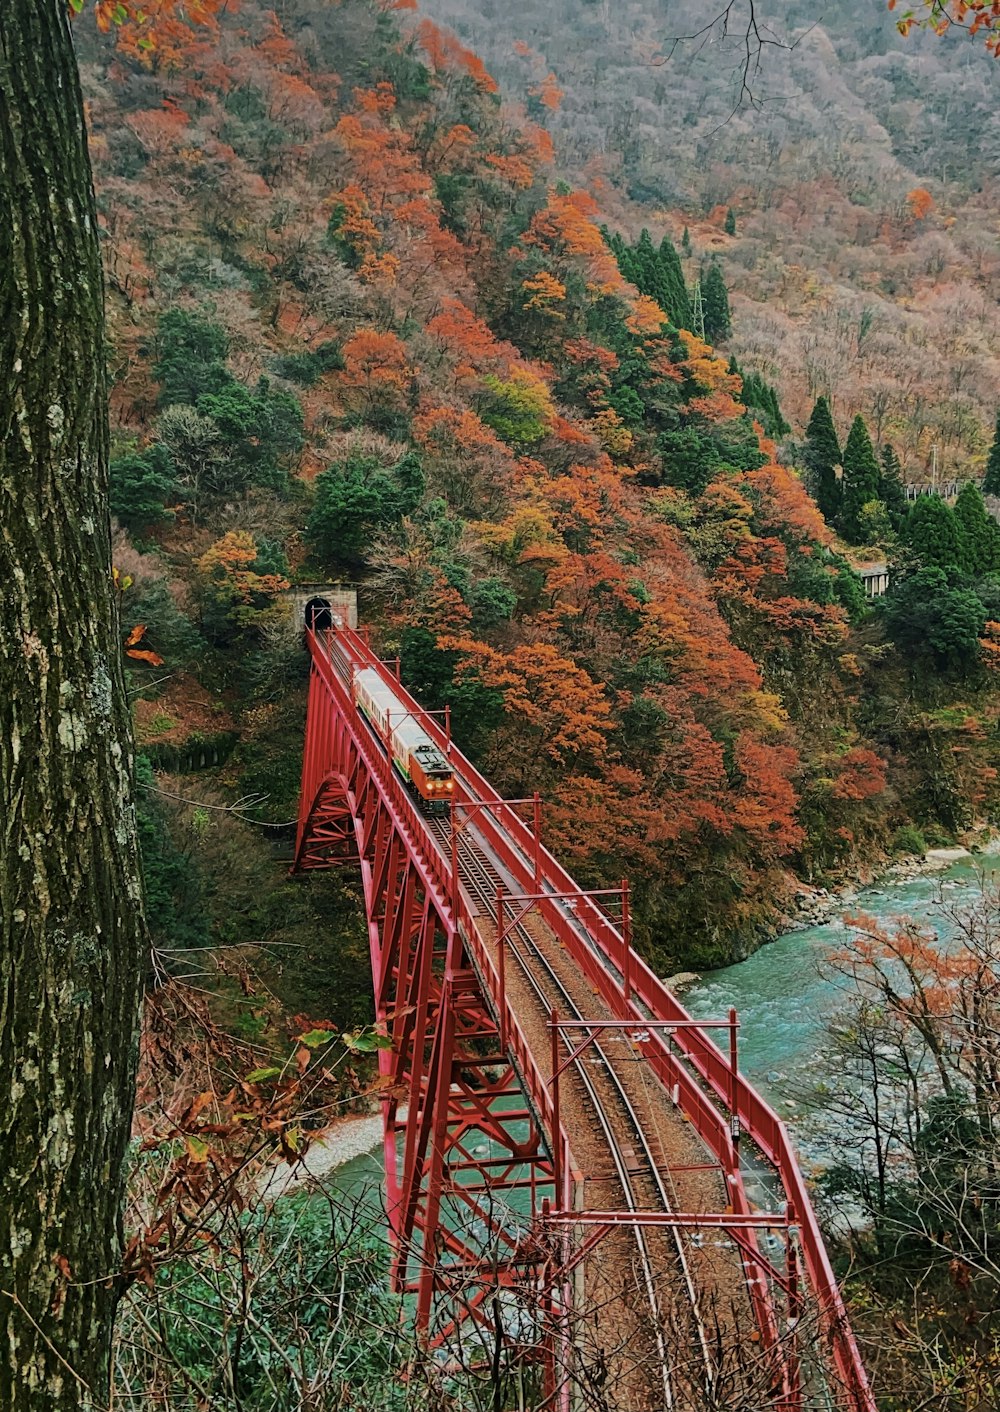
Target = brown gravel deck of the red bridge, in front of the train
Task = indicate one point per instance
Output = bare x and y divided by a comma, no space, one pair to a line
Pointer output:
655,1301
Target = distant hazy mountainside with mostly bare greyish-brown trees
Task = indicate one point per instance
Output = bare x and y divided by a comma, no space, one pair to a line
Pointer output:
862,170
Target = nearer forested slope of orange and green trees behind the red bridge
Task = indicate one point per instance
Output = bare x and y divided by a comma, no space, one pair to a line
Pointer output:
362,325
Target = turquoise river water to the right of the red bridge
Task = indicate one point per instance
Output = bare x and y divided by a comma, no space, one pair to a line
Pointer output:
782,995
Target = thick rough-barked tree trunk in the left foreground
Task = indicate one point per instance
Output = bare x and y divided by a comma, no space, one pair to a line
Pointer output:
71,927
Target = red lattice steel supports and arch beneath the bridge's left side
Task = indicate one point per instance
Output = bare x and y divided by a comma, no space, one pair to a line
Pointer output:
468,1167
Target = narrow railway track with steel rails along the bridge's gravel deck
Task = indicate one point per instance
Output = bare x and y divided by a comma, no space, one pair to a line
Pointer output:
663,1264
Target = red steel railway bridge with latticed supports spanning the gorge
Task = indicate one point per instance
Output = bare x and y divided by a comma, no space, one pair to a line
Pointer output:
559,1132
